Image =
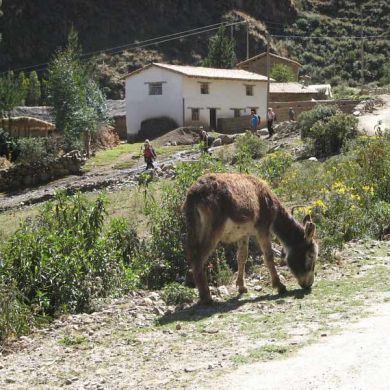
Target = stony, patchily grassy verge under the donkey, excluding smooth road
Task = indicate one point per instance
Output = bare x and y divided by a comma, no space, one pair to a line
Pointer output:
139,342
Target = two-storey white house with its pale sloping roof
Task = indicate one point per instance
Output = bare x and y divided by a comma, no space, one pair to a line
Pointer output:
192,95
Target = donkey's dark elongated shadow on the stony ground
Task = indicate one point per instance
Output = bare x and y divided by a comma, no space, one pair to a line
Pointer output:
198,312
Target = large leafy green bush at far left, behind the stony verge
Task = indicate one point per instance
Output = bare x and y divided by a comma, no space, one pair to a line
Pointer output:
60,260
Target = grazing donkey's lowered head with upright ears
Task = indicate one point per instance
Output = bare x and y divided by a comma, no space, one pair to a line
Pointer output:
301,257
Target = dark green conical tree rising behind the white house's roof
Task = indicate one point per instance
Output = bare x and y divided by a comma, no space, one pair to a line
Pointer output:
221,52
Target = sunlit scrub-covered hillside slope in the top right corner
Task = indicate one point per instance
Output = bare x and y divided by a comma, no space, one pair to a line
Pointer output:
338,59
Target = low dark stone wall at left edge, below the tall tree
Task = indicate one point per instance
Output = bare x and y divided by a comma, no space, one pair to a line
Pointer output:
24,176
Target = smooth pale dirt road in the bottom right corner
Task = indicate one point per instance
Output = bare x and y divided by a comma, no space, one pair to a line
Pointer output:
356,359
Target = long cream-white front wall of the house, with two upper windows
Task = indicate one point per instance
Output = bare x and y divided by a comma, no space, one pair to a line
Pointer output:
223,95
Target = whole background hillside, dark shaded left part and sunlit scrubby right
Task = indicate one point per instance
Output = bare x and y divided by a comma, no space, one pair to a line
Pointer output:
32,31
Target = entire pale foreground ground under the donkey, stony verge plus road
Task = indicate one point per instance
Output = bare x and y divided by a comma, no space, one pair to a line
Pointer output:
137,342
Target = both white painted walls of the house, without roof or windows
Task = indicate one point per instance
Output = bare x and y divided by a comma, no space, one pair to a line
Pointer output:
223,95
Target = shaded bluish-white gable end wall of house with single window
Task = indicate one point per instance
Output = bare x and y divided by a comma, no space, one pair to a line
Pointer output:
140,105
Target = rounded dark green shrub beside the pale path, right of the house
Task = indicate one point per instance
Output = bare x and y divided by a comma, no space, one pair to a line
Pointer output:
330,135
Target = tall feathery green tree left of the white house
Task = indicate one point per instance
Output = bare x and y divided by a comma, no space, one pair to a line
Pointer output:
78,103
